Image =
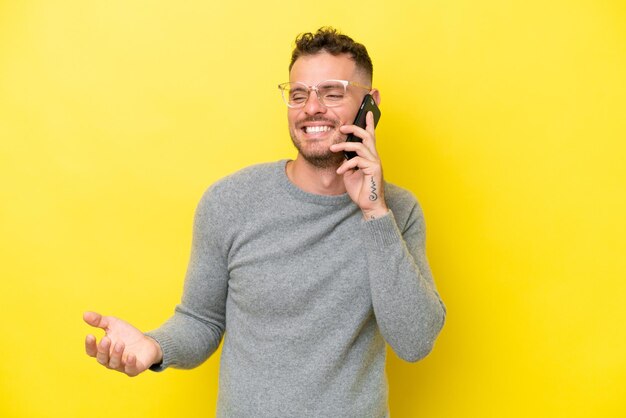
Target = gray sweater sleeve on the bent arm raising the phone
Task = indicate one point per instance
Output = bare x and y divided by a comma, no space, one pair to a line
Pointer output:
408,309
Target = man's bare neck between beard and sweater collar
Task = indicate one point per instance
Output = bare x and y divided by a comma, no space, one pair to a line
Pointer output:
311,179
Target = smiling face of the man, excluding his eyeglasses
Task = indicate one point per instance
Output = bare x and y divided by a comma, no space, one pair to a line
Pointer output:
315,127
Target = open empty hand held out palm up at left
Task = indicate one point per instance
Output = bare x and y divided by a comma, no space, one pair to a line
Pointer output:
124,348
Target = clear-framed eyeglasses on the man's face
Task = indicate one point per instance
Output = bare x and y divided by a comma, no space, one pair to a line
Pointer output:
330,93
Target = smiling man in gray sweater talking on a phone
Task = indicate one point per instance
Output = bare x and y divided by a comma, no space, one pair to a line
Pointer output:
306,267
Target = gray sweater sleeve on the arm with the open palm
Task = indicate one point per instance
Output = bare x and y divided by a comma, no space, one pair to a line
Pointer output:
196,328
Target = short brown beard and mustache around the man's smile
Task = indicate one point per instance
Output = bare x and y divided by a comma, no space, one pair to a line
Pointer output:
318,153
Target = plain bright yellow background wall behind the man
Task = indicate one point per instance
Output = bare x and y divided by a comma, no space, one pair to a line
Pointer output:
505,118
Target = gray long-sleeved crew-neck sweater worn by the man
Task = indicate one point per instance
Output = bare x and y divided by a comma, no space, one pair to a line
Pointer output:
305,293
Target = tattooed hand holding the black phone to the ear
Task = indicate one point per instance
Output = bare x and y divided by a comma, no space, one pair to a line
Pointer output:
365,185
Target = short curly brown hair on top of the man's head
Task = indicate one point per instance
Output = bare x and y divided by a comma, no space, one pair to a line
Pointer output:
328,39
